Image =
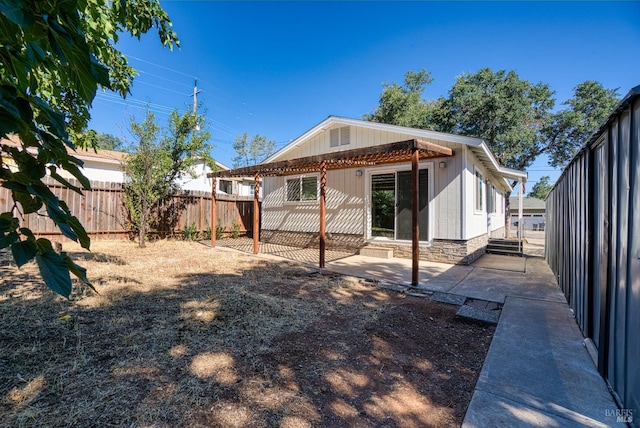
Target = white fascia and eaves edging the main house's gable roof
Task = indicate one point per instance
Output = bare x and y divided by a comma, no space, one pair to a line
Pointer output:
476,145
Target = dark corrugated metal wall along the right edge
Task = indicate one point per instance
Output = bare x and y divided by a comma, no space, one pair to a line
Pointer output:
593,246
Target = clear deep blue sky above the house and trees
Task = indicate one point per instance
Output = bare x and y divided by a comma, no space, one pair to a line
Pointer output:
279,68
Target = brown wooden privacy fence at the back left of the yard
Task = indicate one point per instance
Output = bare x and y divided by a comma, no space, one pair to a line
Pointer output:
102,212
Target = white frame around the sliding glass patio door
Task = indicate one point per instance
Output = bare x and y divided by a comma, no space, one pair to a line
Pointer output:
428,165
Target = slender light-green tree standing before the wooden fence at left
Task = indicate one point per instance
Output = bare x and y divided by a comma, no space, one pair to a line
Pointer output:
157,160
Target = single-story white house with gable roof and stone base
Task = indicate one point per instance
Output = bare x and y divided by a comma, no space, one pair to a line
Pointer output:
347,184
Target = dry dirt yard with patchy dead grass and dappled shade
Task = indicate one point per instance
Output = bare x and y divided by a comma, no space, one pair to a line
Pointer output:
185,335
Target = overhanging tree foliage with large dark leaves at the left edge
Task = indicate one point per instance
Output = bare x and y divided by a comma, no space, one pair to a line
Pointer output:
54,57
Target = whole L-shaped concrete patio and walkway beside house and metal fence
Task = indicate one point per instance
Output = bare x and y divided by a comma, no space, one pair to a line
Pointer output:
537,371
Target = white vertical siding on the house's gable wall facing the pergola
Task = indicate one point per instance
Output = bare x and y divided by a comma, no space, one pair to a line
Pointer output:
346,209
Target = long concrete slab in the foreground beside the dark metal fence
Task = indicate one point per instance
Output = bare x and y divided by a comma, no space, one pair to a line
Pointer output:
537,368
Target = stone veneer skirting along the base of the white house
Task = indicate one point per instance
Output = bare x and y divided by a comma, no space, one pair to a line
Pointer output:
441,250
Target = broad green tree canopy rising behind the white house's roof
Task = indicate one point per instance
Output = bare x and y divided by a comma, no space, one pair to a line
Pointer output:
513,116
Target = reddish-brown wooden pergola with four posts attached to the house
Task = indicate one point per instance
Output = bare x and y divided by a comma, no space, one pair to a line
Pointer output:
403,151
